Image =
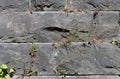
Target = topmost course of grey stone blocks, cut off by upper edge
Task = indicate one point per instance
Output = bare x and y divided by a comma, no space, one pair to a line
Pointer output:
57,5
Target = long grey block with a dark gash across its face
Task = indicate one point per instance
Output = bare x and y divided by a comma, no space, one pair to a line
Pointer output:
42,26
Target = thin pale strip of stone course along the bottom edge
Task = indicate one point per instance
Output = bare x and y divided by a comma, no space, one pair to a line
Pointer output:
72,77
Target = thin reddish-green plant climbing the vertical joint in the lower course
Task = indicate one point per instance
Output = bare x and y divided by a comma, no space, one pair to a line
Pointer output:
29,71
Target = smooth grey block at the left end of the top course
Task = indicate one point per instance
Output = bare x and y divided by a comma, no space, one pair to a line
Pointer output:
13,5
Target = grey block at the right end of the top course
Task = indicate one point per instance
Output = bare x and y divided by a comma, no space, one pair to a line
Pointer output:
91,4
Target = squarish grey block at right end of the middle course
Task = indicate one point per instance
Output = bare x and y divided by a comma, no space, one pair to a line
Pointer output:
107,25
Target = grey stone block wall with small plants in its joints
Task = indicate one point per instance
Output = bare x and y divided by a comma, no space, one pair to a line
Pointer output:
44,21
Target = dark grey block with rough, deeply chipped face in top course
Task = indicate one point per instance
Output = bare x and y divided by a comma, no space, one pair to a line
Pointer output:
41,5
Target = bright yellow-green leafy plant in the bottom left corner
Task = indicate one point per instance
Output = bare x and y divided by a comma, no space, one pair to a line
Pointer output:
4,74
